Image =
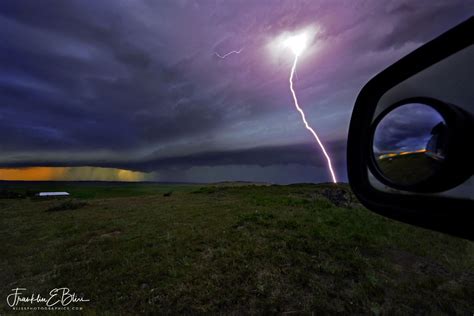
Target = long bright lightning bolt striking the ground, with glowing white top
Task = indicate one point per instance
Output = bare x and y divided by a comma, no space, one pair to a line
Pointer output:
298,44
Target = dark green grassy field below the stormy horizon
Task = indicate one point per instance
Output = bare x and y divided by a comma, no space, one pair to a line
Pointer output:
173,249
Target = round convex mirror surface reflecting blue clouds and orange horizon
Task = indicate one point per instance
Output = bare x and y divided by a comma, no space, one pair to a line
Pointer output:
409,144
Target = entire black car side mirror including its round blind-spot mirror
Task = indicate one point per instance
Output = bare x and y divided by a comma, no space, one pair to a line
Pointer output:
410,145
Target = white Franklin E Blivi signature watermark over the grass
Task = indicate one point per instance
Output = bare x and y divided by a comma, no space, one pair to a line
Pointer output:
59,299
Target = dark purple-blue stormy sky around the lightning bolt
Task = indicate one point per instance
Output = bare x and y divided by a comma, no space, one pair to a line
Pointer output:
137,85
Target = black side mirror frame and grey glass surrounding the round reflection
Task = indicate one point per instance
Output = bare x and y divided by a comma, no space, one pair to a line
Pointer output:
442,72
